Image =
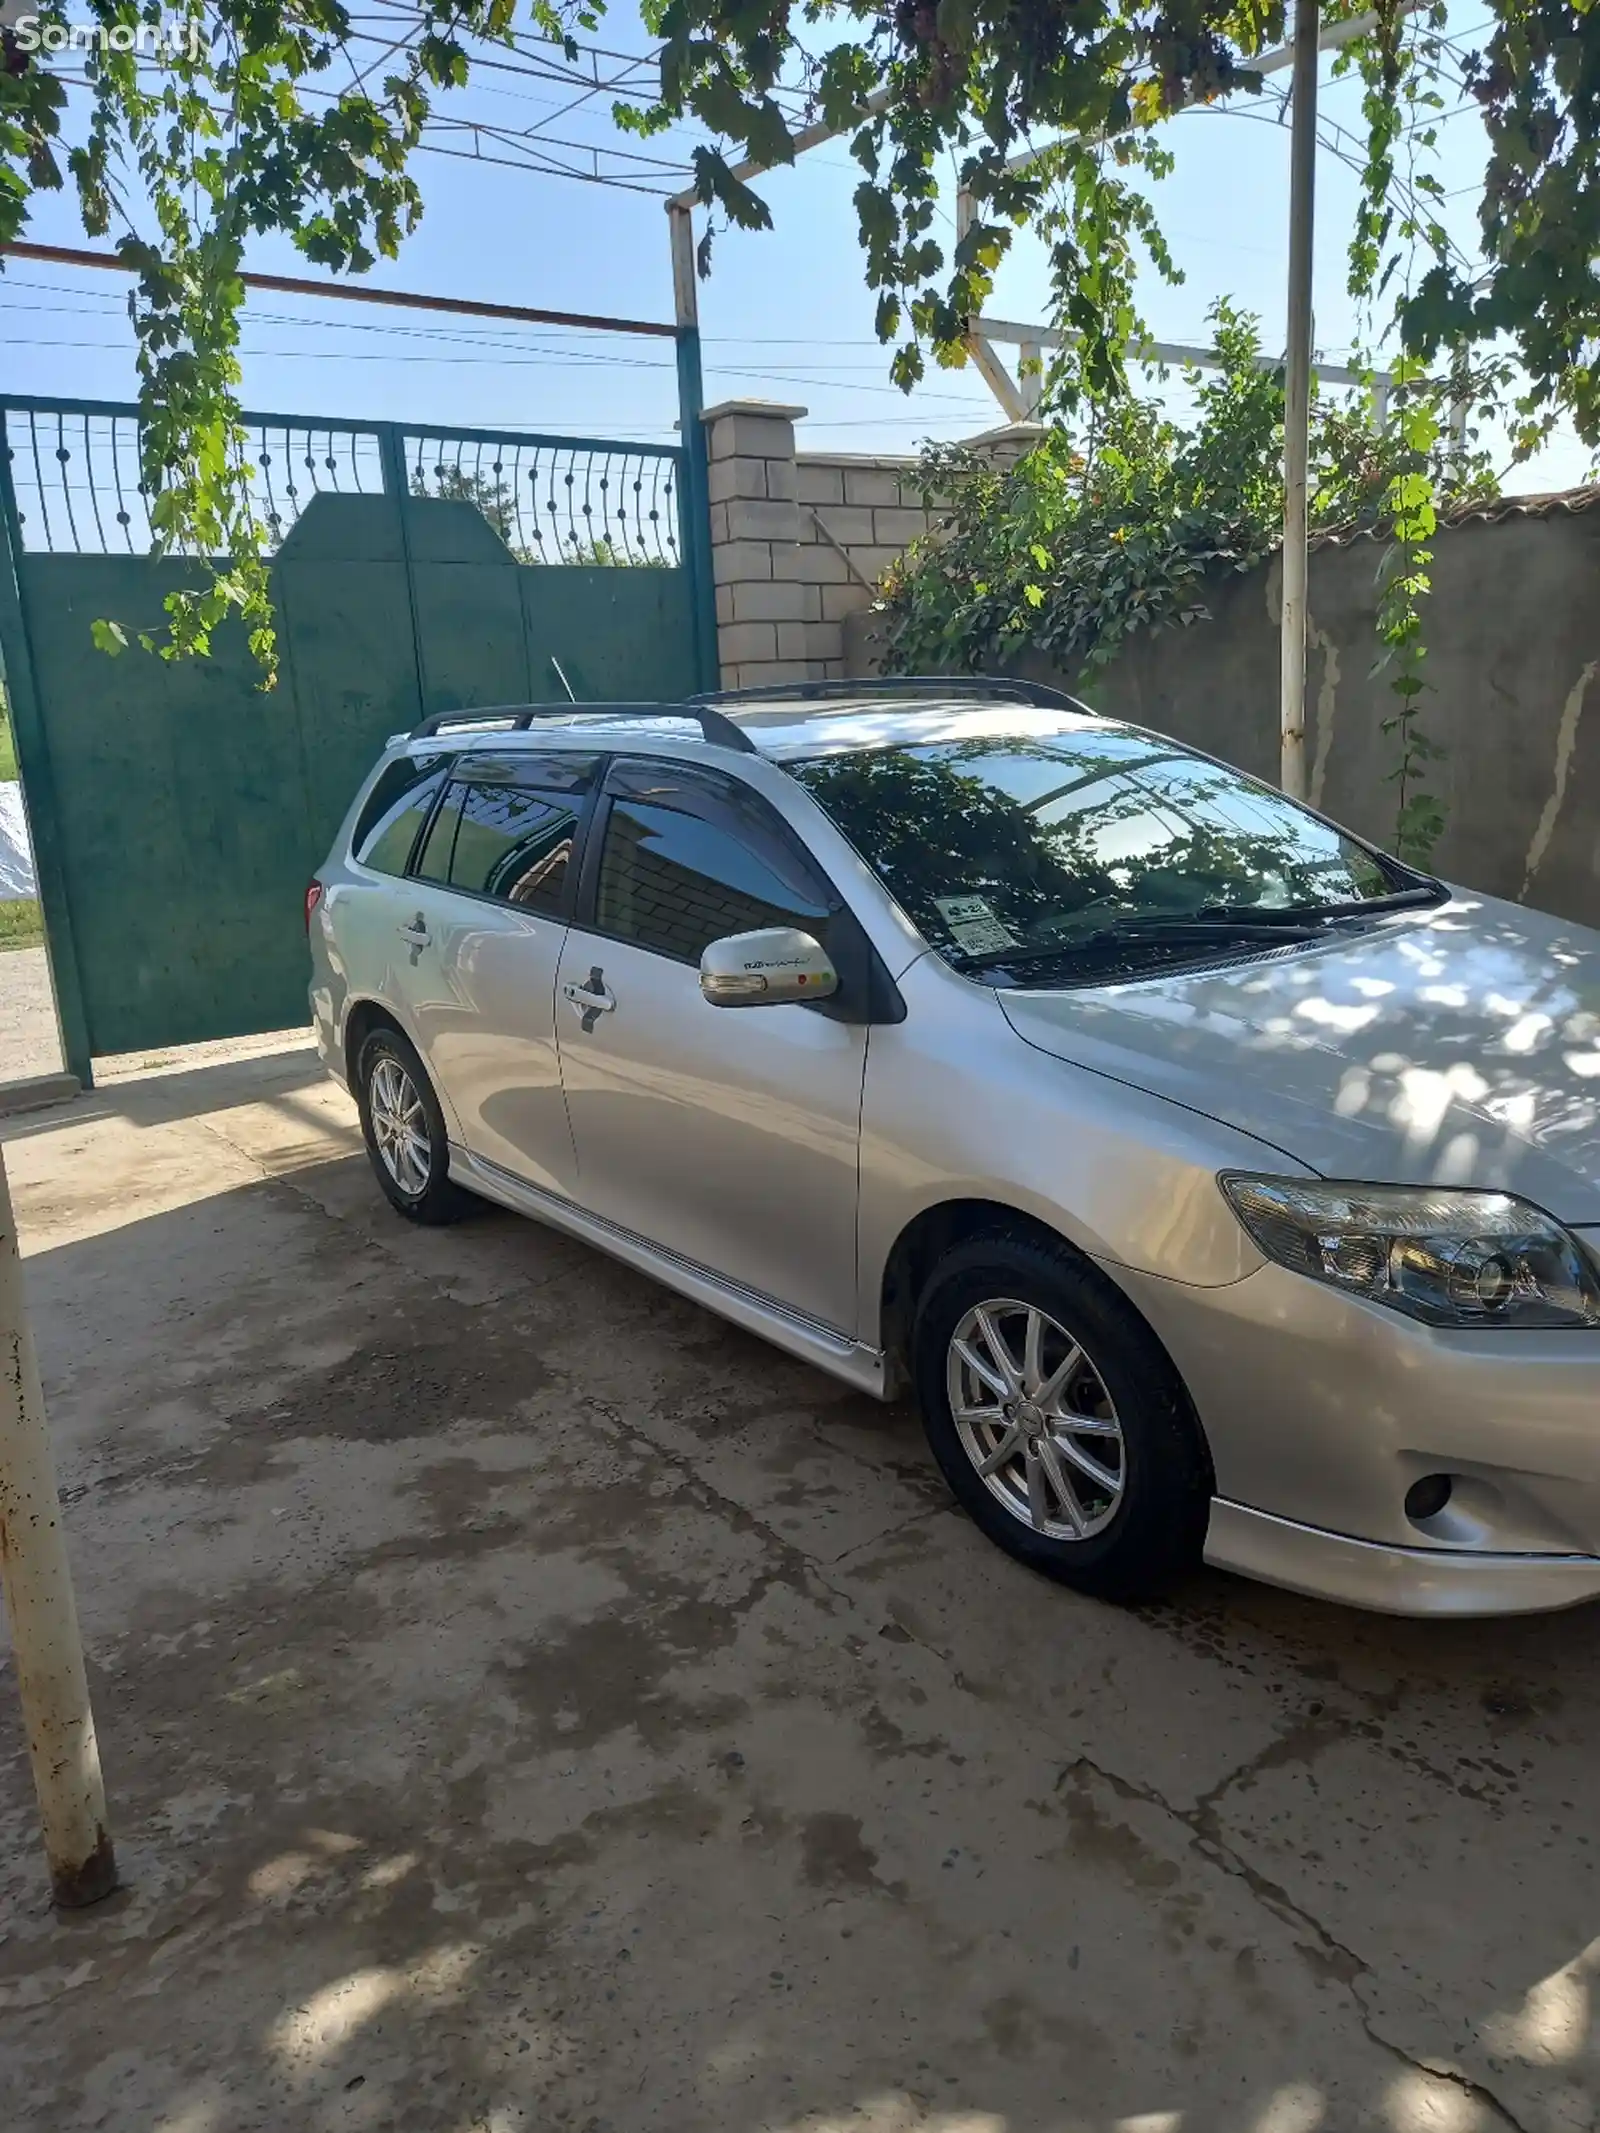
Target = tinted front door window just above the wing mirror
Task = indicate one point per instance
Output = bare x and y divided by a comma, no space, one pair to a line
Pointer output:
679,878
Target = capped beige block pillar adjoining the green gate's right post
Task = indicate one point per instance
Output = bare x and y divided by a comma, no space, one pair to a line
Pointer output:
763,613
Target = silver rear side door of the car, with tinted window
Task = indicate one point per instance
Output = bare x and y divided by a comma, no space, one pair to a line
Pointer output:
483,927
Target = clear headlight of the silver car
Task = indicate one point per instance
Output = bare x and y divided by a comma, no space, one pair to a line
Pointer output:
1452,1260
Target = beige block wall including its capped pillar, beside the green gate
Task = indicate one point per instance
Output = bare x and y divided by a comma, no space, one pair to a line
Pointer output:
799,541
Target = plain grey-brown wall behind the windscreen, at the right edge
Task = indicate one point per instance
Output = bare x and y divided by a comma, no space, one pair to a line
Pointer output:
1514,701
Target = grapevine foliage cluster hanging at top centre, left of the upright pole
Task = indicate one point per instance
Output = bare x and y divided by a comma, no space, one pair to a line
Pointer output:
974,82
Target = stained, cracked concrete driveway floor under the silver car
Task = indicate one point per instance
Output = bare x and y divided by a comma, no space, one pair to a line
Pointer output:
530,1703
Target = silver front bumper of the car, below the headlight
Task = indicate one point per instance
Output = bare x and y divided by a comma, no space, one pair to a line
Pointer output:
1324,1411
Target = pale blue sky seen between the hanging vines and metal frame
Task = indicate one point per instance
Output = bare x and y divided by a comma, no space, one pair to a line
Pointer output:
786,315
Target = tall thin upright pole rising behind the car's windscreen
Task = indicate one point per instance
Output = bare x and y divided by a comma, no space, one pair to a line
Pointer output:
1298,396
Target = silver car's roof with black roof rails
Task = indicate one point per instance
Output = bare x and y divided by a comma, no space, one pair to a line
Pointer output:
780,728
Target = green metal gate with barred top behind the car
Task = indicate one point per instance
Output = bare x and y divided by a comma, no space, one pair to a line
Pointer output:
176,807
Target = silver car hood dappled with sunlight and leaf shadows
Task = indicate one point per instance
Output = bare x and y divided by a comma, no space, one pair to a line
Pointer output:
1454,1046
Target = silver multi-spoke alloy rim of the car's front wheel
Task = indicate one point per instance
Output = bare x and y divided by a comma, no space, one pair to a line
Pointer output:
1036,1420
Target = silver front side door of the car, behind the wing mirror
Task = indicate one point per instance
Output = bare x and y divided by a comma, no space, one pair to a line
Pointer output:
724,1136
